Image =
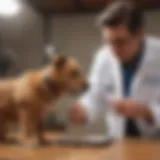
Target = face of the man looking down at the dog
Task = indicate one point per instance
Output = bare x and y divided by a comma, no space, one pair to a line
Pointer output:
124,44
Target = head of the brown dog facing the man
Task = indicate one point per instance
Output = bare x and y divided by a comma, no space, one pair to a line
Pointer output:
65,72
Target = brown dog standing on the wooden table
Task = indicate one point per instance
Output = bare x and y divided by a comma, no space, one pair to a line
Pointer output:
25,99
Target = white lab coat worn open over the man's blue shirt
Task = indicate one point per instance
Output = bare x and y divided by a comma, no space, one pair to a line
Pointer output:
106,83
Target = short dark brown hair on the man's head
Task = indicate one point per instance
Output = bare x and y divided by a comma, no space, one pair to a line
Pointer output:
119,13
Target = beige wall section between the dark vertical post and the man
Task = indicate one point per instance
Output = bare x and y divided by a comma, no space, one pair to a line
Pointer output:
76,35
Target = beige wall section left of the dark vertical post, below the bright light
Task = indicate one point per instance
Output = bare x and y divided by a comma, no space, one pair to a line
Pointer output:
23,34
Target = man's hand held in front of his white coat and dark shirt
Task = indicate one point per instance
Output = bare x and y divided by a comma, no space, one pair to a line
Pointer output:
132,109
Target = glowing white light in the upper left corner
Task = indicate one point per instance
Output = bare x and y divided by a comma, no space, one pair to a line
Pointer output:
9,7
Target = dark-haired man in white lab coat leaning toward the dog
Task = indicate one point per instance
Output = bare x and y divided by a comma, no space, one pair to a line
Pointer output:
124,78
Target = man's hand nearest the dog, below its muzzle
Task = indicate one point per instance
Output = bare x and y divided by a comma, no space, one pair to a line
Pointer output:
77,114
